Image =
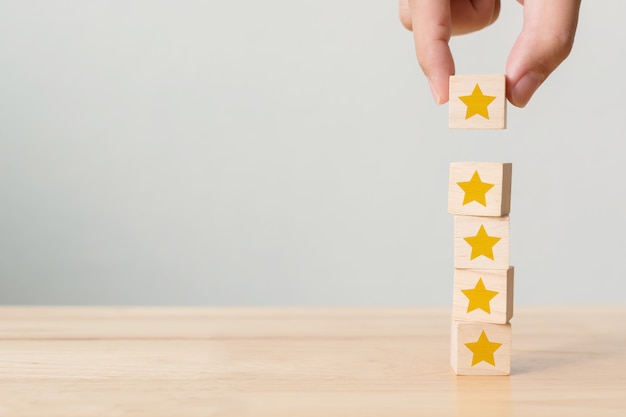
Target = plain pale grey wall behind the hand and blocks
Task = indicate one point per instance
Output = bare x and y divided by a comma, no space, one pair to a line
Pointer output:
287,153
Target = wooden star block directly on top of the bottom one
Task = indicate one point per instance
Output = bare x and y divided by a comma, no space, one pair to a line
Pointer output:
483,295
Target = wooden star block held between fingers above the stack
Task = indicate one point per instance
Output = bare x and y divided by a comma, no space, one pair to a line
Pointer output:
477,102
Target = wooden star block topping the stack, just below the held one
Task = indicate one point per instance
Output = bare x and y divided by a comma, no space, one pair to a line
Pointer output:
480,188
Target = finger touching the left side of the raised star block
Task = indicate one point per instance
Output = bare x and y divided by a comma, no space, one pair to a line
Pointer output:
432,28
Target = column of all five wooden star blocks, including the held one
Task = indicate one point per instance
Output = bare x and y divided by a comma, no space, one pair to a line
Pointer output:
479,197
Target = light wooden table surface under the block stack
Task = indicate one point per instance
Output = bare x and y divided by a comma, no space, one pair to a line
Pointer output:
301,362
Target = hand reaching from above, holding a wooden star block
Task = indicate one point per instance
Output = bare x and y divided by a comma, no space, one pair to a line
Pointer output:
546,39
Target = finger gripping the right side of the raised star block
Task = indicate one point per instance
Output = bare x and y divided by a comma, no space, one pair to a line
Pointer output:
546,40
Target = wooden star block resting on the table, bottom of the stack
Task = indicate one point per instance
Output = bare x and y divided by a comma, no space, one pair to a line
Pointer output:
480,348
